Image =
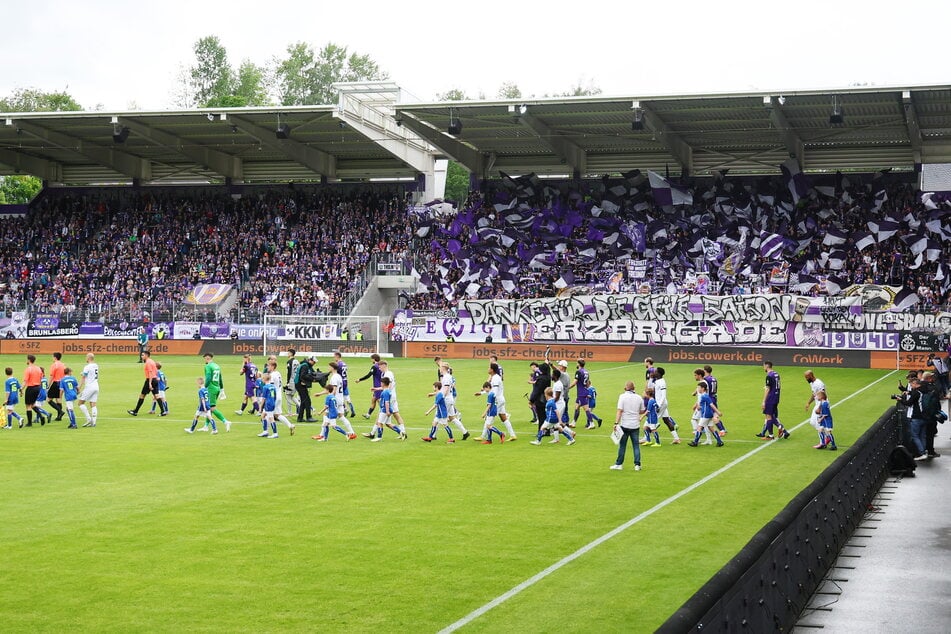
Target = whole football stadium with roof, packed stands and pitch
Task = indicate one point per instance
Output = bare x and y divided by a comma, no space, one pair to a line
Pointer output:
671,363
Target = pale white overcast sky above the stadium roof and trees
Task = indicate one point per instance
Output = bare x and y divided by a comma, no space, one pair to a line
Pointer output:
122,53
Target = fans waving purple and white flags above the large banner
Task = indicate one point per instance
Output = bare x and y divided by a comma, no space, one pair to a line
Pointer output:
672,260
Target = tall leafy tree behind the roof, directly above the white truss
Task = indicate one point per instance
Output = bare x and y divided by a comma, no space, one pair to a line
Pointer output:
306,77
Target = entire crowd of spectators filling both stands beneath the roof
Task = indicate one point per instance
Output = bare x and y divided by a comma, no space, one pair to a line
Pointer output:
116,253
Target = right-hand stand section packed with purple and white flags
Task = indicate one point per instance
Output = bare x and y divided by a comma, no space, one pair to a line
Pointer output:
526,239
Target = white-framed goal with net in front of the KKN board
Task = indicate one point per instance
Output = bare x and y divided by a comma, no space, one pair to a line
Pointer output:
352,335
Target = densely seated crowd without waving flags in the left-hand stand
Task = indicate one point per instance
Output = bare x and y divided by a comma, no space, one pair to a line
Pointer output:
115,255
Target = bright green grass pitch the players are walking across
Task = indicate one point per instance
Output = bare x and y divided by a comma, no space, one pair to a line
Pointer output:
138,526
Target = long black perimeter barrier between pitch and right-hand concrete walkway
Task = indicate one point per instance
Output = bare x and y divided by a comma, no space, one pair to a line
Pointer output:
765,587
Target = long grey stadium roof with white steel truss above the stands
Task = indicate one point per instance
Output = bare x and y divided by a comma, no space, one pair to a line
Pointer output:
370,133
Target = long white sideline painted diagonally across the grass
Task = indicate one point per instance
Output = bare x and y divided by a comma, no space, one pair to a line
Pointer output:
528,583
